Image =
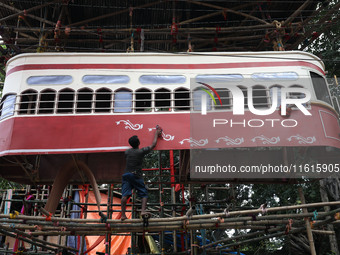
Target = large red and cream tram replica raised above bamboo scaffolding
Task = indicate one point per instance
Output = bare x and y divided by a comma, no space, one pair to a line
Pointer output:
56,107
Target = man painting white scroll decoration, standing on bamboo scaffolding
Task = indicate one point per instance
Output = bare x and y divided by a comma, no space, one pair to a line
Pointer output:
132,177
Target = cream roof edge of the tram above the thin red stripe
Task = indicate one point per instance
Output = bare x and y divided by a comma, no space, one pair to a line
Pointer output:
163,58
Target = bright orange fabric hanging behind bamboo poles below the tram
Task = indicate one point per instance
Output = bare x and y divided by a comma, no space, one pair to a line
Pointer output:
119,244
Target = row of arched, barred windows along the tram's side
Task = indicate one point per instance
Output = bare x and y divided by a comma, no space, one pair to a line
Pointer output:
123,100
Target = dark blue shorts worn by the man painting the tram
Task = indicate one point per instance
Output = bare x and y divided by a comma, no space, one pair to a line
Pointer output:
131,181
